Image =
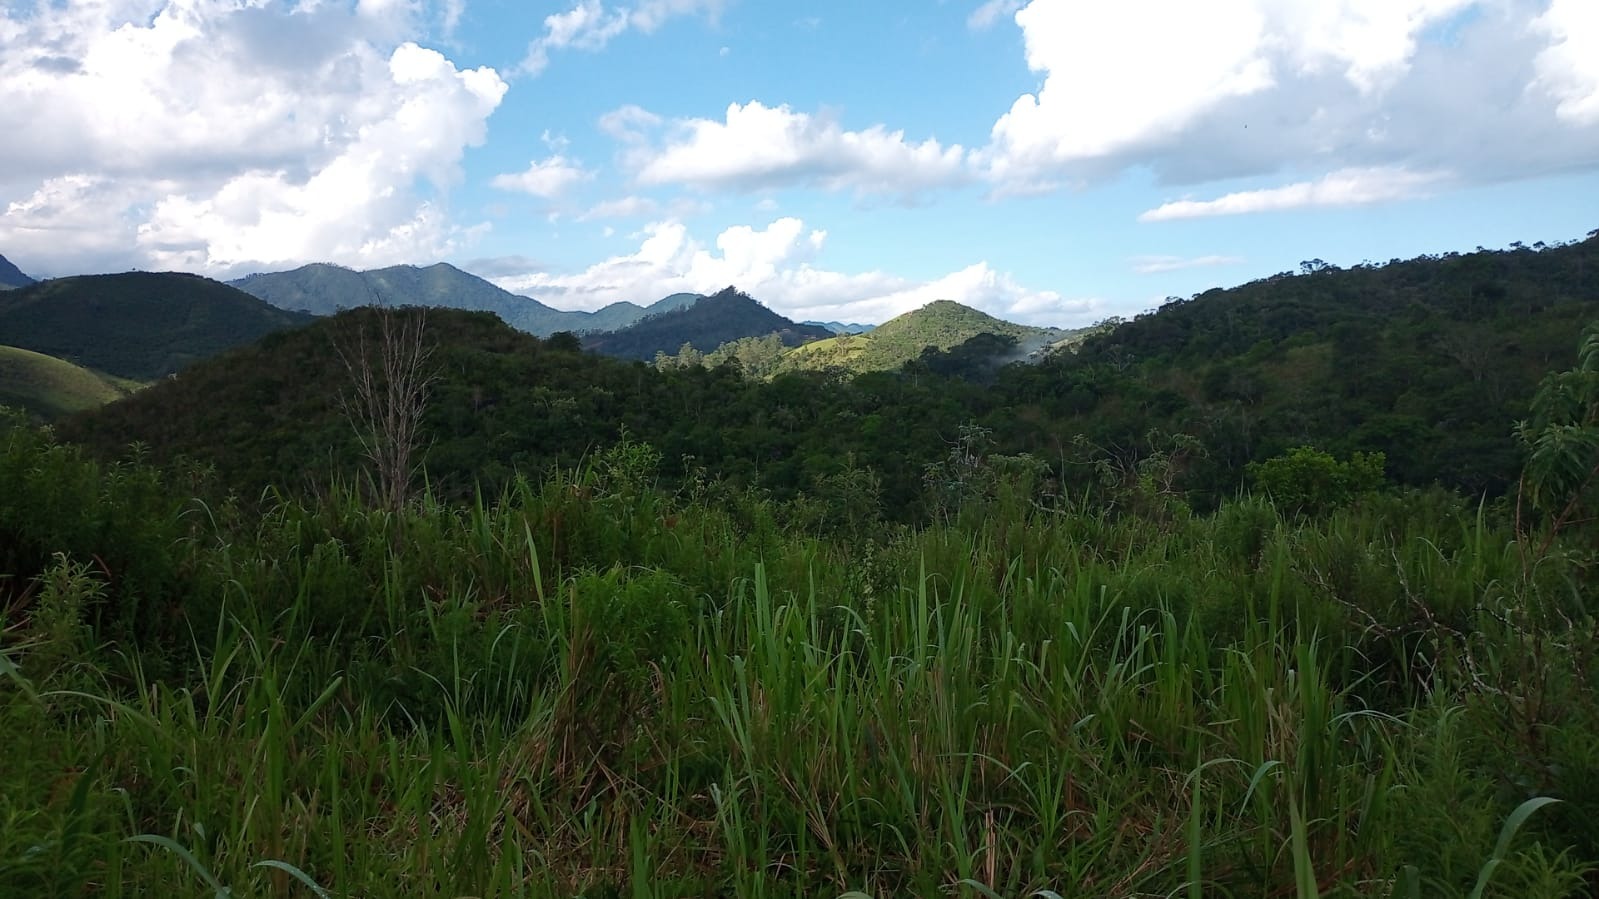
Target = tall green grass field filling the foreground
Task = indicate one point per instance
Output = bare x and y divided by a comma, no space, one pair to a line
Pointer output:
589,689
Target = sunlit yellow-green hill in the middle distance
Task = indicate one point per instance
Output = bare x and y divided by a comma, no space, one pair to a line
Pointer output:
941,326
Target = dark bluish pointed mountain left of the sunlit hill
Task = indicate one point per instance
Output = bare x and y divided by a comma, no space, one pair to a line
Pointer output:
709,324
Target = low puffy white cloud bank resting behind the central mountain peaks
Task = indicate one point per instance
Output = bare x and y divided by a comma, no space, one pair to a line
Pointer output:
778,265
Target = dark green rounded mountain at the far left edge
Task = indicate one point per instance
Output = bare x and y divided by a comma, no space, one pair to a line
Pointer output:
140,326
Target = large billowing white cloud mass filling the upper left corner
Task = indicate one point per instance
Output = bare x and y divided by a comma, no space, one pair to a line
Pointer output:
212,137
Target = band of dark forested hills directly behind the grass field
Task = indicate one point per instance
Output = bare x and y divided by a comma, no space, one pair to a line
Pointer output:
1429,362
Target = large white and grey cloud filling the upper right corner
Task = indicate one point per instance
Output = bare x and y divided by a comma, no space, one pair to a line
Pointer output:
1488,90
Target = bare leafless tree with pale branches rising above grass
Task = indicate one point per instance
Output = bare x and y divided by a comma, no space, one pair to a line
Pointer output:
391,378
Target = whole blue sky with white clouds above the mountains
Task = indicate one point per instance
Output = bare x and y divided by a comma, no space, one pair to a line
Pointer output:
1053,162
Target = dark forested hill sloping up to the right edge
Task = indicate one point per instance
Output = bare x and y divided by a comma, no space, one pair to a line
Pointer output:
1427,361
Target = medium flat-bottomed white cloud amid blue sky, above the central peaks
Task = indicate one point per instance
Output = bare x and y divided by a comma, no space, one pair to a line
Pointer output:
759,146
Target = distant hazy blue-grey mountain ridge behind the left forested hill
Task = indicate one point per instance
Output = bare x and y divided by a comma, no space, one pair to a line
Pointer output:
324,290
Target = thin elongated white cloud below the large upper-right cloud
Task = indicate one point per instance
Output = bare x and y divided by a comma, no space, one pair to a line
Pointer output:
1350,188
